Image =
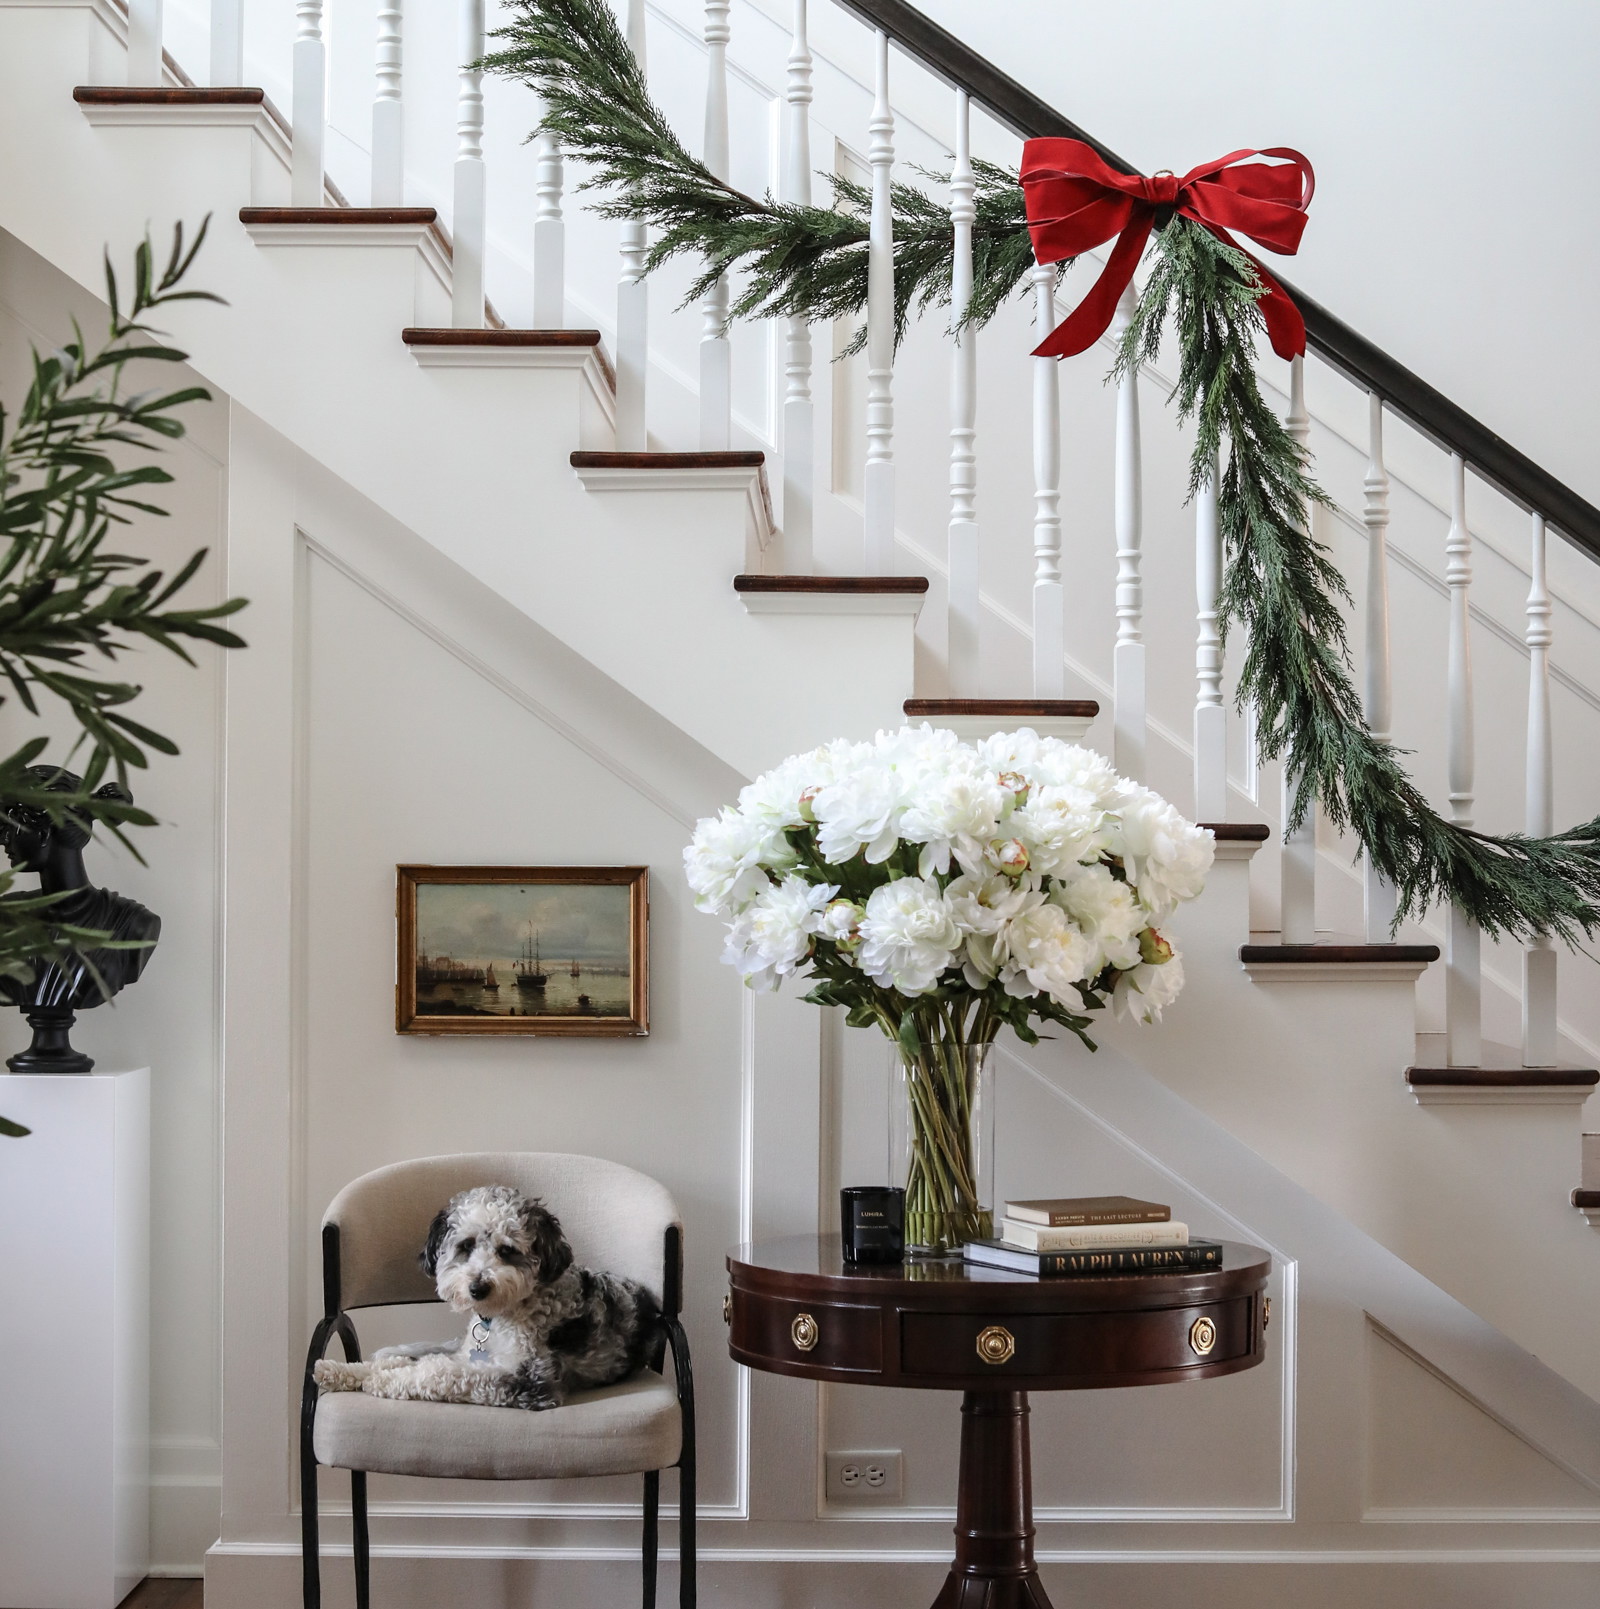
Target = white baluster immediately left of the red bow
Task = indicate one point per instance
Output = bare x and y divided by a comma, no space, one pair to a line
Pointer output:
963,546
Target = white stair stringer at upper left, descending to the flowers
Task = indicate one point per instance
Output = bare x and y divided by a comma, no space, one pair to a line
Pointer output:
474,461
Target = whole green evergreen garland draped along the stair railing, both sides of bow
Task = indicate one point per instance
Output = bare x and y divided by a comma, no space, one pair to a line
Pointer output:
1280,588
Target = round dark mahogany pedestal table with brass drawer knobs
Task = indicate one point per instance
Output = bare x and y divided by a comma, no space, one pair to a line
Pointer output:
796,1307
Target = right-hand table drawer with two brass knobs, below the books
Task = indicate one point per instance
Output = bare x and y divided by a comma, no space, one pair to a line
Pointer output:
1078,1344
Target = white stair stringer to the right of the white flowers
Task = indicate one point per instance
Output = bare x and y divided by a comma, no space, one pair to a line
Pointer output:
1309,1074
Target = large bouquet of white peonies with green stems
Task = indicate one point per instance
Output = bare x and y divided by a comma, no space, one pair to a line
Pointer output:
942,891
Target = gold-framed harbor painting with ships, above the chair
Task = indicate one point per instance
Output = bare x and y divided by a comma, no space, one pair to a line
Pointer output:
534,950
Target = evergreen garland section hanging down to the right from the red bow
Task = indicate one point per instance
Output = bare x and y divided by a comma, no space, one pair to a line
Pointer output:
1284,593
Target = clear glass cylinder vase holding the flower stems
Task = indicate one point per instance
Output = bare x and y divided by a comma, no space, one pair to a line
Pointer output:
942,1143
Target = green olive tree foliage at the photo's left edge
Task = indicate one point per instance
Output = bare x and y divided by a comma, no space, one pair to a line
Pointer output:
76,463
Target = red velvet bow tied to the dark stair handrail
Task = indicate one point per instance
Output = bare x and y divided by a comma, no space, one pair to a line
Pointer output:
1076,202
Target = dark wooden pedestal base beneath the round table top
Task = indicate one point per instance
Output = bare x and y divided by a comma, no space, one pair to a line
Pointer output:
994,1563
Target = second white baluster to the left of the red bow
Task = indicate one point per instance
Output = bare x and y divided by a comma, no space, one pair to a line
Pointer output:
878,484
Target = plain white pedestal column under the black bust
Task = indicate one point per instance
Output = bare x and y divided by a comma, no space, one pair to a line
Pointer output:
75,1341
